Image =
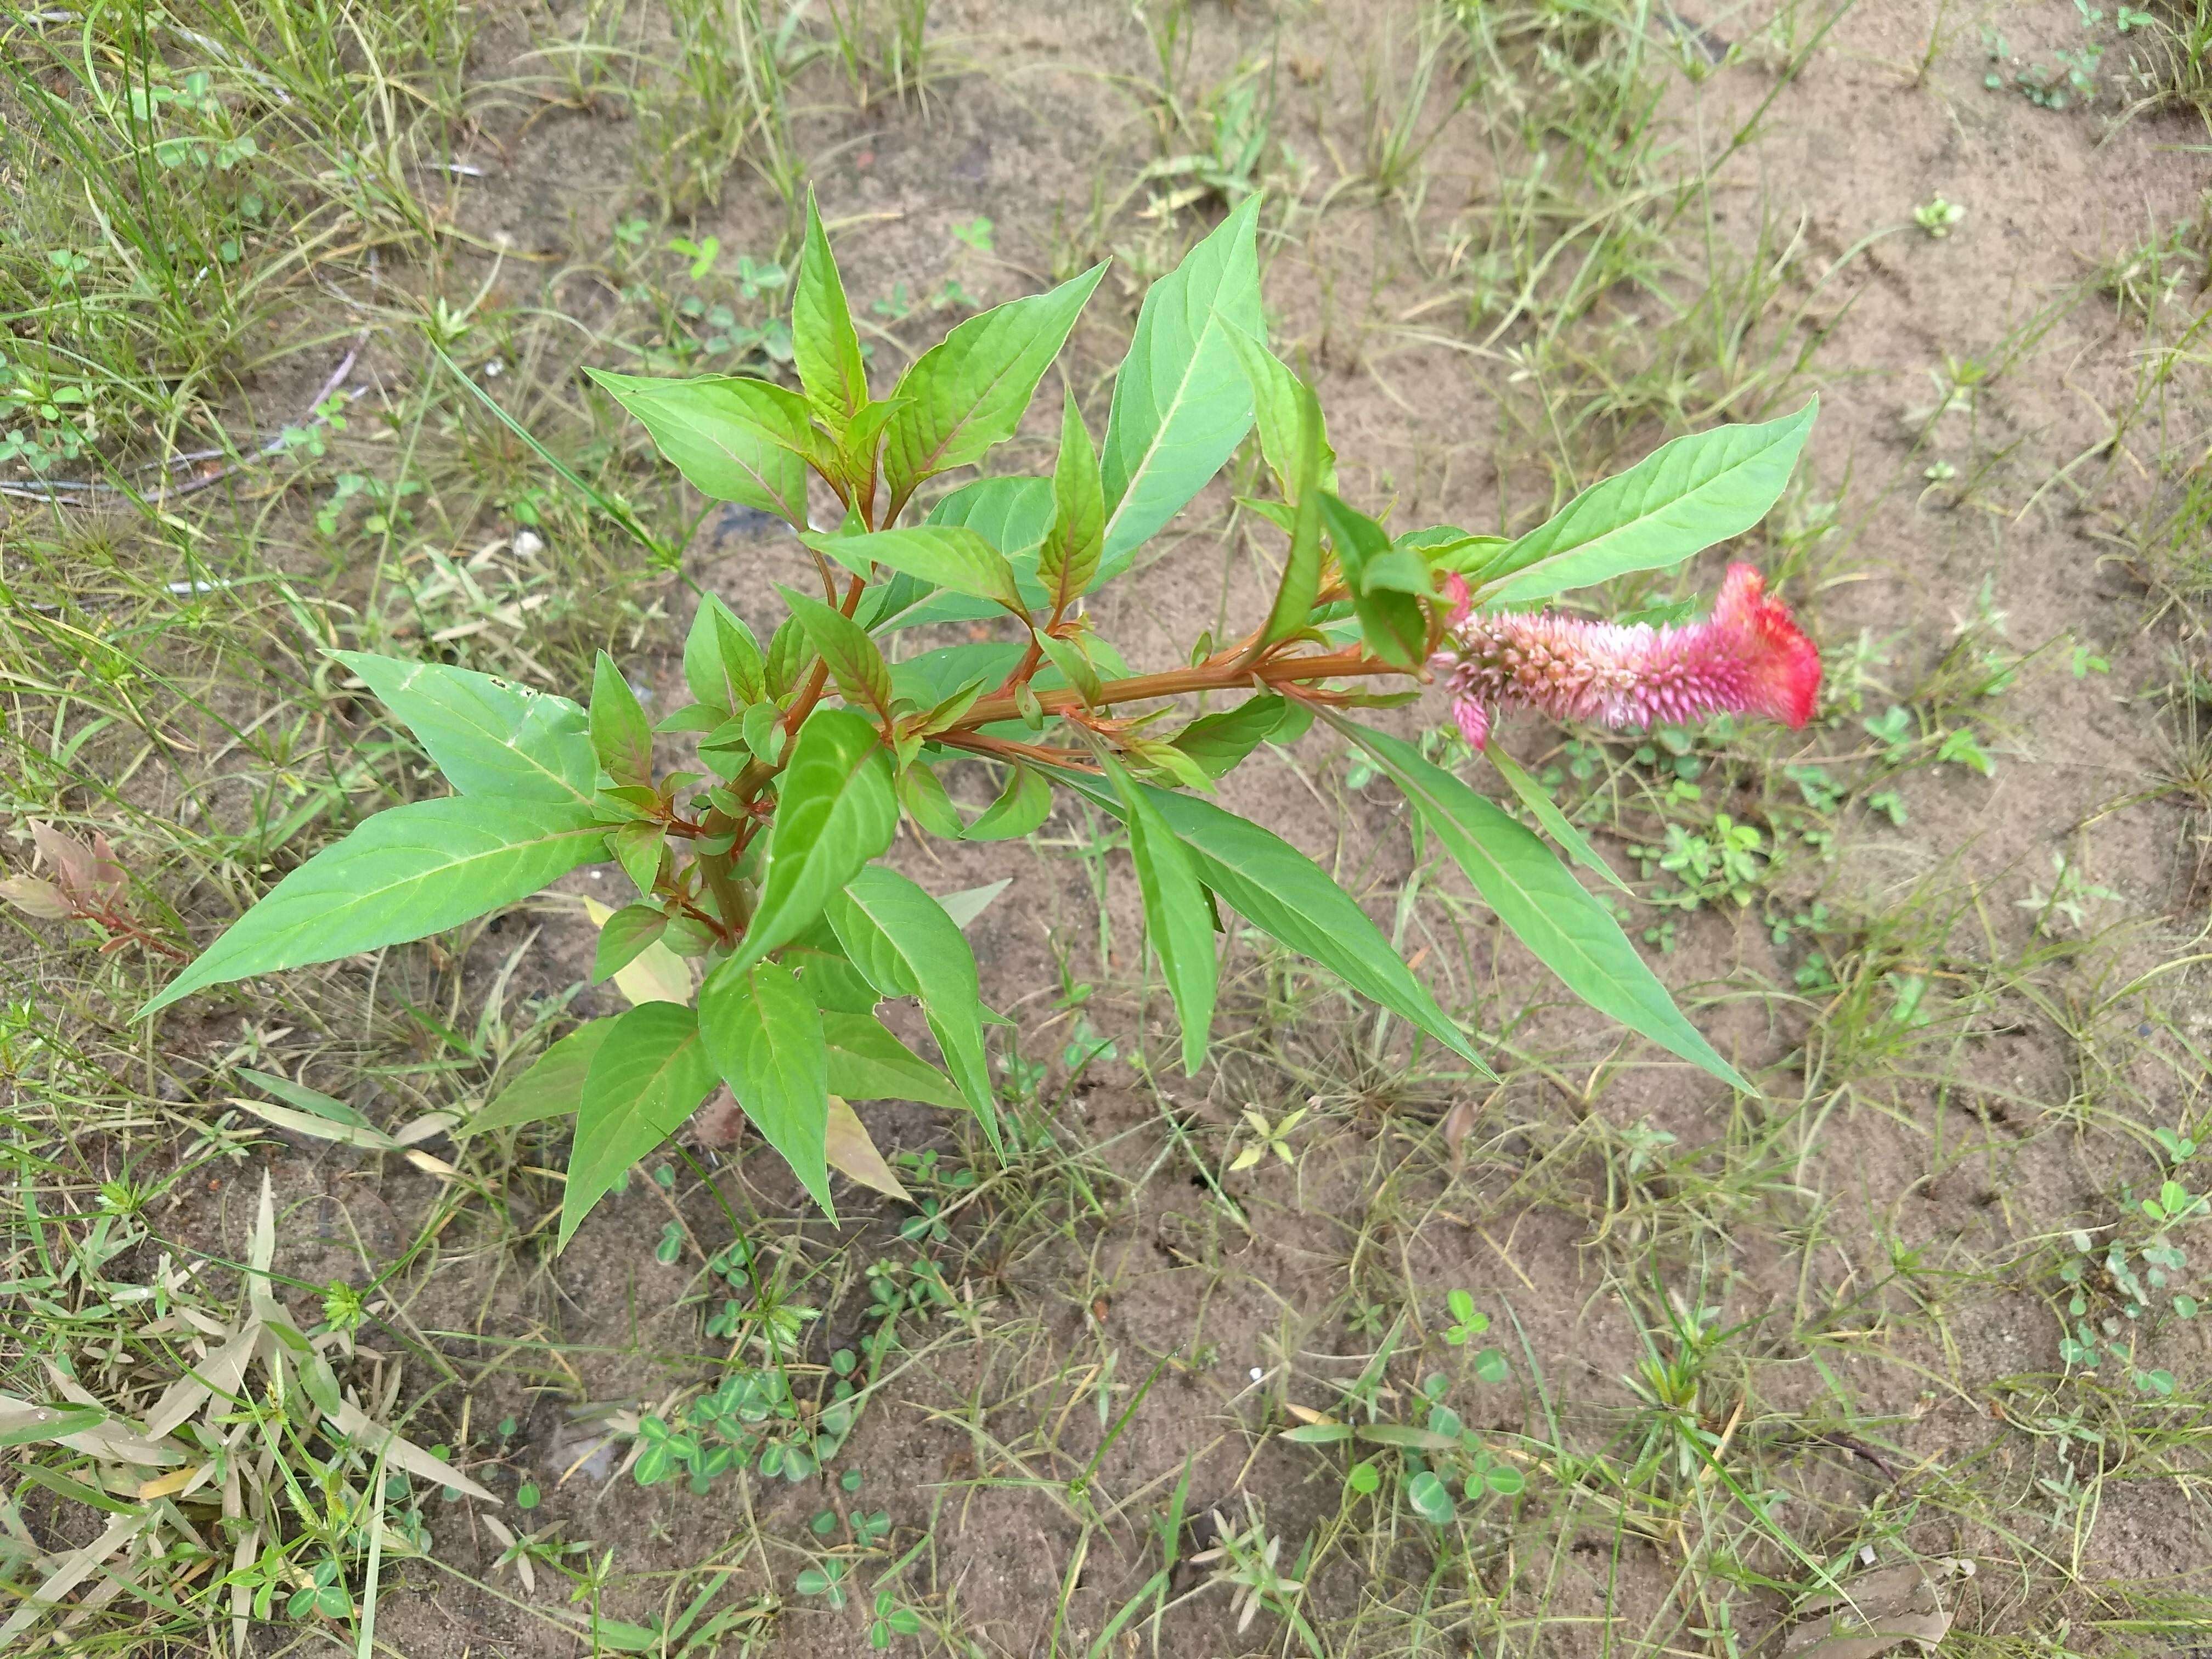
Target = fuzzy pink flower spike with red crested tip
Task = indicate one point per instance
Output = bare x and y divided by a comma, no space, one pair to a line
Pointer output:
1749,658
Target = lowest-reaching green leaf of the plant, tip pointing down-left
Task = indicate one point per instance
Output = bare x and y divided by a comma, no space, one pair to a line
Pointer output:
649,1074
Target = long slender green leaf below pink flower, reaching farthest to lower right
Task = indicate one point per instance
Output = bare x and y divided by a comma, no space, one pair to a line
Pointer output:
1541,901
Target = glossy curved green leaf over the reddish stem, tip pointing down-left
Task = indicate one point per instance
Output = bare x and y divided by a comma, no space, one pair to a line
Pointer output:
835,813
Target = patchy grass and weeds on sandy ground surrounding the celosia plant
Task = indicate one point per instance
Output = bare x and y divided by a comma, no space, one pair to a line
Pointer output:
1731,1346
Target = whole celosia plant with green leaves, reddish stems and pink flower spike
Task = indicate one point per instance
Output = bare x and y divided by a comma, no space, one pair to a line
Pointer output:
769,930
